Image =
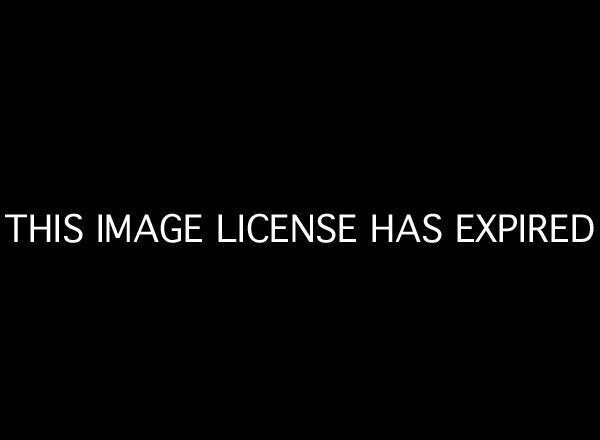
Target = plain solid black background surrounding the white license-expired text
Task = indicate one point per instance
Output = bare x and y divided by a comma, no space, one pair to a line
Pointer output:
381,113
